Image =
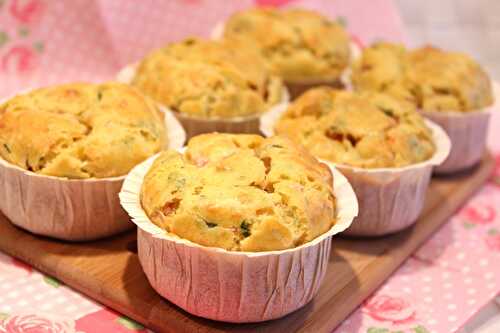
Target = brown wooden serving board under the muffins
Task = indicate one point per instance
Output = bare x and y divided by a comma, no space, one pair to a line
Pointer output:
109,270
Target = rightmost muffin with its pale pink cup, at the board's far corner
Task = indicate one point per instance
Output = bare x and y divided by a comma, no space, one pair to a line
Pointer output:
447,87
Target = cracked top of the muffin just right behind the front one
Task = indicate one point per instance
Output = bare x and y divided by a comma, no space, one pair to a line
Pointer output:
360,129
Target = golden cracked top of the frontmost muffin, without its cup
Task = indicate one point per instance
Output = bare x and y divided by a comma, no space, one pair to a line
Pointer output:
240,192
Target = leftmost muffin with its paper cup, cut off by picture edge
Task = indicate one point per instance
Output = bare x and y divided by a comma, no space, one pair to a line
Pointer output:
64,151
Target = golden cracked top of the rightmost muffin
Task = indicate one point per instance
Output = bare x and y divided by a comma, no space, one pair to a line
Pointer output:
430,78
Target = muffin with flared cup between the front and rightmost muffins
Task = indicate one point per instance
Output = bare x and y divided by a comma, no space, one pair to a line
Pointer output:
380,143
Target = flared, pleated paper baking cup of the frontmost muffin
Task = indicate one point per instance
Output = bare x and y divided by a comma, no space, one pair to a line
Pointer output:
232,286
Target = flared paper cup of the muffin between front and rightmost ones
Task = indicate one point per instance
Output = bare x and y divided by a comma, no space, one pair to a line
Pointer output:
390,199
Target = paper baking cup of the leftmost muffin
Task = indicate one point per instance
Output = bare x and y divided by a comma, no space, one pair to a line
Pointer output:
69,209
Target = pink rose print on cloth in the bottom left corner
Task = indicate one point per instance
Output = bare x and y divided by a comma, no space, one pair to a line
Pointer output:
36,323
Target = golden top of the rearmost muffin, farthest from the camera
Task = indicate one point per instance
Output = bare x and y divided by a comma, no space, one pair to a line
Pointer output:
300,45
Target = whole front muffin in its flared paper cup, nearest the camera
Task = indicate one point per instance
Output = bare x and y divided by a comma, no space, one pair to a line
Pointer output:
248,215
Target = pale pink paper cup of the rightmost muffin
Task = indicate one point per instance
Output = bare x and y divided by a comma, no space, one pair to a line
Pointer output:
468,132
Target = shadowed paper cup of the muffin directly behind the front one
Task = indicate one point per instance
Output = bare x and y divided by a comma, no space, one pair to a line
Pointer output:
198,125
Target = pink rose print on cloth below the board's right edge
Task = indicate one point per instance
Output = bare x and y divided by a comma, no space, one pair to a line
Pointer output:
393,310
